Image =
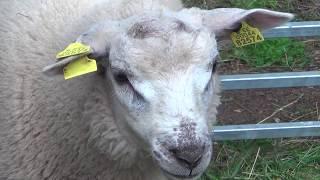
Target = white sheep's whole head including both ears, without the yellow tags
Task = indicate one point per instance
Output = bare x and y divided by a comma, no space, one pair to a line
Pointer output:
162,70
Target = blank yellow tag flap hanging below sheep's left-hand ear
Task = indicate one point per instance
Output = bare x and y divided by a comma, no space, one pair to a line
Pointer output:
79,67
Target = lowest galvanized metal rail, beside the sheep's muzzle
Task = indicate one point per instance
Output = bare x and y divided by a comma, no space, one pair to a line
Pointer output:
262,131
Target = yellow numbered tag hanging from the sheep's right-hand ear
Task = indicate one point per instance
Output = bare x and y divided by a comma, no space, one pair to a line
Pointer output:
247,35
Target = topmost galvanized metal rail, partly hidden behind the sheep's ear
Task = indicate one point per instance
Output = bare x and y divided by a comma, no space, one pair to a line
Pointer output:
295,29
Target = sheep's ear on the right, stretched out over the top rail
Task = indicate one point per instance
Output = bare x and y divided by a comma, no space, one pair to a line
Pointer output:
224,21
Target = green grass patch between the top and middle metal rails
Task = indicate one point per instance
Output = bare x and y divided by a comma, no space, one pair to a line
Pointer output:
281,52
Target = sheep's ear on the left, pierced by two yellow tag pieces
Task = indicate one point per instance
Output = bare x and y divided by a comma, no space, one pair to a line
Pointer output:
98,38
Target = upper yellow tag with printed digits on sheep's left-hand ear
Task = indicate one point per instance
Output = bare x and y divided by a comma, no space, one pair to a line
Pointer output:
74,49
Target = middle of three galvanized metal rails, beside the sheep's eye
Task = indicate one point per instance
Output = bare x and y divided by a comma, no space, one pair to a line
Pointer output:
270,80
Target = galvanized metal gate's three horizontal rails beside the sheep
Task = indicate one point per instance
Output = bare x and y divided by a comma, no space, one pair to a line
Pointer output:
273,80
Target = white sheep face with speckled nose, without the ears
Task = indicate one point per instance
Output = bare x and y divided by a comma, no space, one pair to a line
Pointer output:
163,74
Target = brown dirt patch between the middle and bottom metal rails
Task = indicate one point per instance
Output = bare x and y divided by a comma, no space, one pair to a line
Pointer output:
269,105
